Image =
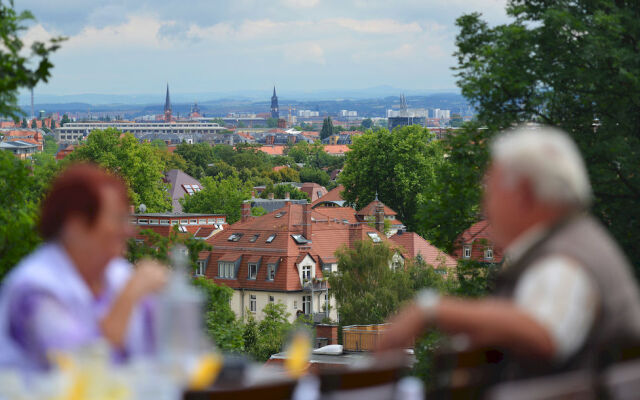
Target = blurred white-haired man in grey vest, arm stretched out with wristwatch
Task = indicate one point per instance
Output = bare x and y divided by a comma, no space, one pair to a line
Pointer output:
566,293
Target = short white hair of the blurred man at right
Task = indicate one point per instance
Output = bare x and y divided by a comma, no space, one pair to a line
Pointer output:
549,159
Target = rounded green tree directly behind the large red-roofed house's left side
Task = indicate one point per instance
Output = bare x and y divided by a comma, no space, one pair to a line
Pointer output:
219,195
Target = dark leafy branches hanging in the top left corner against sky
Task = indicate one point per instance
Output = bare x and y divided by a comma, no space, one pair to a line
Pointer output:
17,69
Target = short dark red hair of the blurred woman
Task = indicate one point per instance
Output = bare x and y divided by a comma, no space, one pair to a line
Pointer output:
77,191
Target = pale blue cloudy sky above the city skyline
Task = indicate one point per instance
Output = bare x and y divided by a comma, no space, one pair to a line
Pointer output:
198,46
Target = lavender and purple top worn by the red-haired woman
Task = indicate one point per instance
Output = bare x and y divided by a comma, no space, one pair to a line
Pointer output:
45,305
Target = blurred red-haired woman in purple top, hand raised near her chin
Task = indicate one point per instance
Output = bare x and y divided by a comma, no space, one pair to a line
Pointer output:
76,288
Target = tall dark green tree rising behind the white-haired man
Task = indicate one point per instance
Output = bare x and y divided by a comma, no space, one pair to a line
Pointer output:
574,65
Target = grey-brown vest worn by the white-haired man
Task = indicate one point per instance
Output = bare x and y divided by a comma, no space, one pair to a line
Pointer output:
617,322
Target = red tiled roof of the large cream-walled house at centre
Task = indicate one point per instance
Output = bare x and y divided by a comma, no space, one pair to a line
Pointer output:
328,233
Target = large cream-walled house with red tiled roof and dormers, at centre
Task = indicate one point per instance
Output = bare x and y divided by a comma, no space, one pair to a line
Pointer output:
282,256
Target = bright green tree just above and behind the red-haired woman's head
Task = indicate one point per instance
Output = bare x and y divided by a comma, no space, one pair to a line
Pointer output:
139,164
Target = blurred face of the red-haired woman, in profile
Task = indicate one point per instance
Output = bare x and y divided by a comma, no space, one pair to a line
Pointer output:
108,235
